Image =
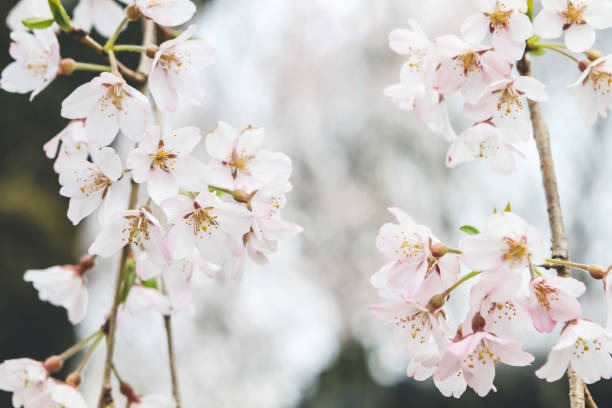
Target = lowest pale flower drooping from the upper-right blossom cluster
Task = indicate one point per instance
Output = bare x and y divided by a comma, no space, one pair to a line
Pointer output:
483,140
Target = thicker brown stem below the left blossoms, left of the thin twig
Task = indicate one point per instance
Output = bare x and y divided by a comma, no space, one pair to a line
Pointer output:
106,397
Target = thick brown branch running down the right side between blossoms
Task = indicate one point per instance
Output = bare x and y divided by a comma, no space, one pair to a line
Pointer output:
555,217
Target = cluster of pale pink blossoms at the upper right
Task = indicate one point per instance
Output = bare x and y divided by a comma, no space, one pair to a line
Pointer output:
480,64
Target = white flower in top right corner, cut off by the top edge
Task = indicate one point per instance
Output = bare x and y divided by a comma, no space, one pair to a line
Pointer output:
578,18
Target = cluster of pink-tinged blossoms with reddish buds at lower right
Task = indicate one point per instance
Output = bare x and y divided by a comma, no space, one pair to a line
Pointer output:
422,274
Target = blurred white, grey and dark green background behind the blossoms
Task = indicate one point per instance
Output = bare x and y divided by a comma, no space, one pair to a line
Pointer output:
298,332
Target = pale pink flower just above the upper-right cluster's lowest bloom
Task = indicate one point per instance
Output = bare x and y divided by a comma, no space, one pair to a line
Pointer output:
503,102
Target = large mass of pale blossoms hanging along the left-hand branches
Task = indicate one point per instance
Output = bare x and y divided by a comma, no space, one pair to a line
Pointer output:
195,217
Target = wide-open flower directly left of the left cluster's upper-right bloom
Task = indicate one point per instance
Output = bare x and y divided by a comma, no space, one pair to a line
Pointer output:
164,162
